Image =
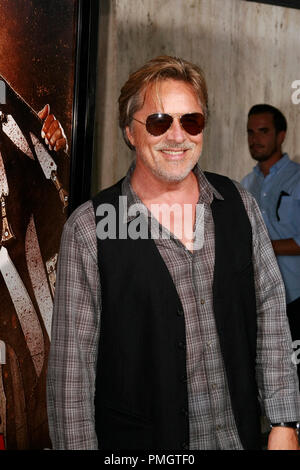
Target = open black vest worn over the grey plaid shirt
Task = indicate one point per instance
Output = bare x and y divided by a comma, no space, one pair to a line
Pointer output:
141,399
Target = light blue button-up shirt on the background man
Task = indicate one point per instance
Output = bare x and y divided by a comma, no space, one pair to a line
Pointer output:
278,196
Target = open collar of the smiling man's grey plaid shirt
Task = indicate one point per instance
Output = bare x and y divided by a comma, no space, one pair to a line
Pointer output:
207,190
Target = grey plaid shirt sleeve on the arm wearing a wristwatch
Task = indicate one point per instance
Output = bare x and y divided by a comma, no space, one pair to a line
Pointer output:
275,368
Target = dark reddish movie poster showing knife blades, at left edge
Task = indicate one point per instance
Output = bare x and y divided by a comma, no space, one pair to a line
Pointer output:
37,56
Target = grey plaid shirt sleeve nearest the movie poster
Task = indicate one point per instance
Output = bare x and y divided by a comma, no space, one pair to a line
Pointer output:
75,333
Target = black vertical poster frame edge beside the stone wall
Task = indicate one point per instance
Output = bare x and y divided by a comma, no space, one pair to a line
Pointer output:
83,102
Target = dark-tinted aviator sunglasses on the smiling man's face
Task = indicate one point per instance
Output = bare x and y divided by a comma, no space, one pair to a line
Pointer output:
158,123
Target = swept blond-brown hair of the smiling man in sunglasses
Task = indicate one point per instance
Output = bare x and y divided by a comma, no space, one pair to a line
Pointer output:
161,68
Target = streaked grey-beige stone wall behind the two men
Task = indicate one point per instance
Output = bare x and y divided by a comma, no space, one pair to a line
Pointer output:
249,53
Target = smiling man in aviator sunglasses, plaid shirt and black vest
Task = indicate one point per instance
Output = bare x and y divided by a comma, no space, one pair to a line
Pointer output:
164,338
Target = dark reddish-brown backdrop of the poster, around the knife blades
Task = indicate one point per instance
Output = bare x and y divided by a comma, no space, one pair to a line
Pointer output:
37,57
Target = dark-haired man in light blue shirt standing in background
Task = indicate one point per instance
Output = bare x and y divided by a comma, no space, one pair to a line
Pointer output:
275,184
